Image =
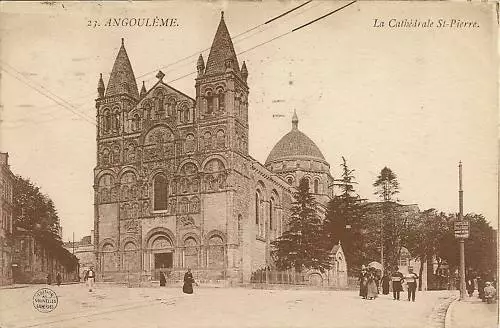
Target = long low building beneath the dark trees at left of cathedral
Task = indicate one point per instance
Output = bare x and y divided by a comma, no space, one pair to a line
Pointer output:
37,259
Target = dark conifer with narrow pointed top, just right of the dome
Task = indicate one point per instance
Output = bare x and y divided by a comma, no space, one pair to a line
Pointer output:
343,221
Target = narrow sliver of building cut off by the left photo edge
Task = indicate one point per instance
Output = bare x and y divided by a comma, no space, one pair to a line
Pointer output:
6,210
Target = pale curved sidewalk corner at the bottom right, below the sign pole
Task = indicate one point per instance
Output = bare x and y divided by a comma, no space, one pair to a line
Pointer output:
472,313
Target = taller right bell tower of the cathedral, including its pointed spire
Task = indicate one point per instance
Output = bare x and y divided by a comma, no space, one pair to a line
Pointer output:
222,94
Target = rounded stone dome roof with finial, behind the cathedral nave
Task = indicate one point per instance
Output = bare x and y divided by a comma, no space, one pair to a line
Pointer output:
295,145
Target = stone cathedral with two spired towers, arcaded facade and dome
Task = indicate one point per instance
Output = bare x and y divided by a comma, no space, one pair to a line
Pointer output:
175,187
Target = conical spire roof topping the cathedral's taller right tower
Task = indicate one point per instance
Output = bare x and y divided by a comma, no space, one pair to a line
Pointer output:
222,49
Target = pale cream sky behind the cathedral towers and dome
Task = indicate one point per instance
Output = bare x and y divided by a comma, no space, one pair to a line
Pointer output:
417,100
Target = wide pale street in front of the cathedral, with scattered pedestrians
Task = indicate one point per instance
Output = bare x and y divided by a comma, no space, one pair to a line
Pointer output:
117,306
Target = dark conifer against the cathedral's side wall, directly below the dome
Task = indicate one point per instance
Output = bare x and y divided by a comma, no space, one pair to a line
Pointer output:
302,244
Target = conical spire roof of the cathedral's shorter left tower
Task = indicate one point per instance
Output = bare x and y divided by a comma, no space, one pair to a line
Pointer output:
122,79
